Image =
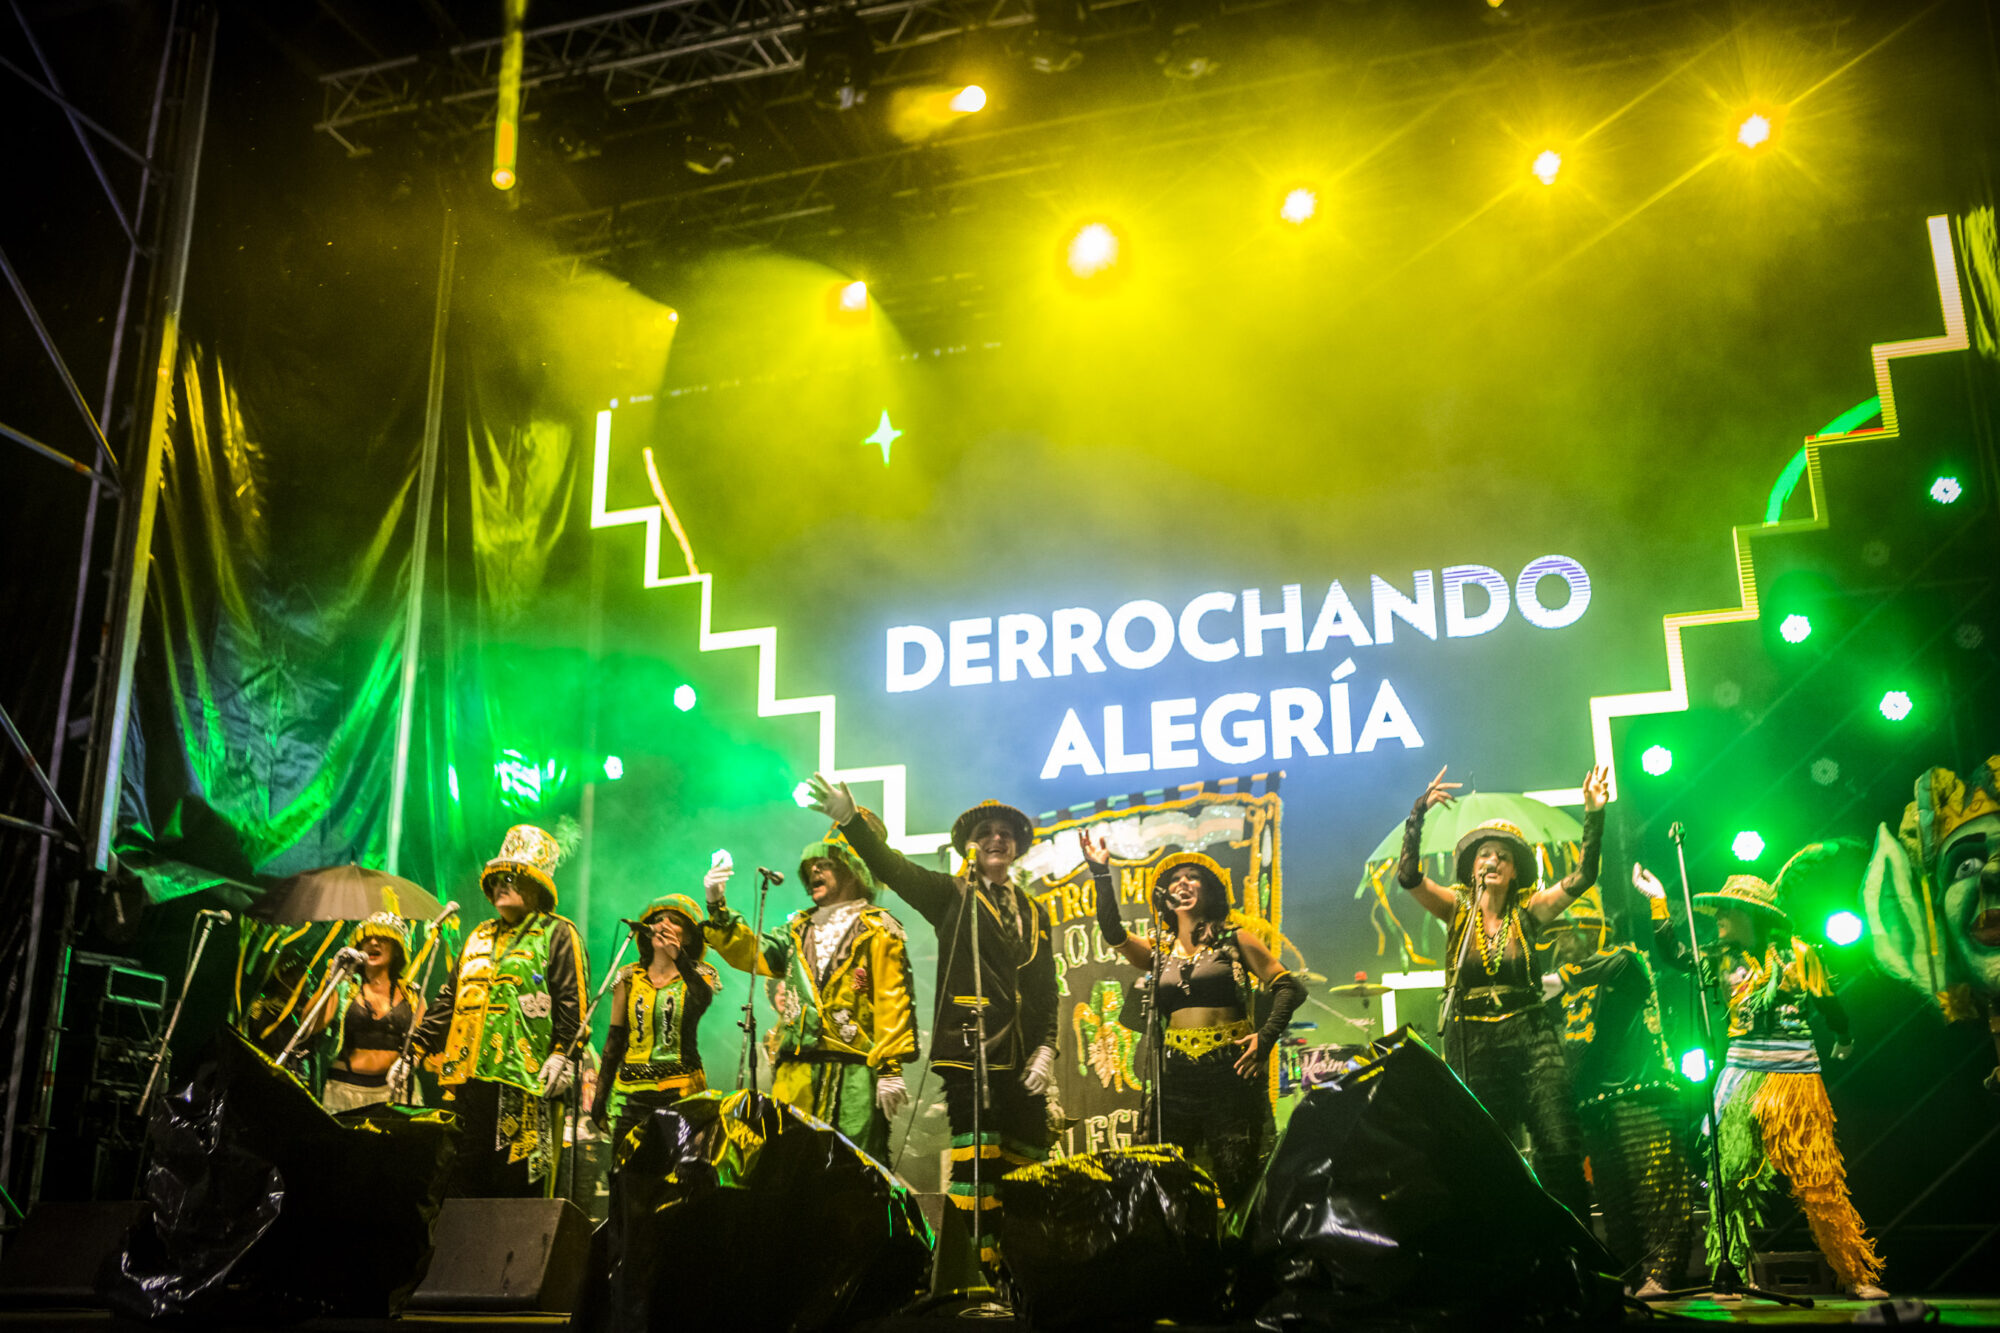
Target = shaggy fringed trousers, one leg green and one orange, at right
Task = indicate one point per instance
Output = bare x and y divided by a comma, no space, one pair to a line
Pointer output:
1777,1122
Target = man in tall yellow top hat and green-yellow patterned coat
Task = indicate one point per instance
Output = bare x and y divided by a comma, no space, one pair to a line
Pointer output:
505,1024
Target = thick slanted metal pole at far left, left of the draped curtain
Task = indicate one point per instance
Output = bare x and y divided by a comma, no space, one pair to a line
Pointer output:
143,479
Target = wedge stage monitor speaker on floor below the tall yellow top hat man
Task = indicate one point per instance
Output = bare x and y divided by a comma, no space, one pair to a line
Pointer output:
507,1256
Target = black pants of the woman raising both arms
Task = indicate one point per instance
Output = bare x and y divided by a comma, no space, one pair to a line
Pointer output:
1517,1070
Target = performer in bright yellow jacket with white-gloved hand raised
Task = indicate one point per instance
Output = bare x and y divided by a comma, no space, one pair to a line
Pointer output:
841,984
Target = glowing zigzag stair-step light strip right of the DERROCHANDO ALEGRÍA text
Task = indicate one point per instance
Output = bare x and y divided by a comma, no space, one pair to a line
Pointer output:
1675,698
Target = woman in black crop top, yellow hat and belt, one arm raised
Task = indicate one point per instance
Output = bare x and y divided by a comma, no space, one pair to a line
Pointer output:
1215,1098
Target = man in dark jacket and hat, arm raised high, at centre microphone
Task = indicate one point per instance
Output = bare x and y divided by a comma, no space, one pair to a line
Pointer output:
1015,984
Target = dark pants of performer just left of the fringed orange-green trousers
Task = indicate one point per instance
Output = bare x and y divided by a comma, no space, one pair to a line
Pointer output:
1641,1180
